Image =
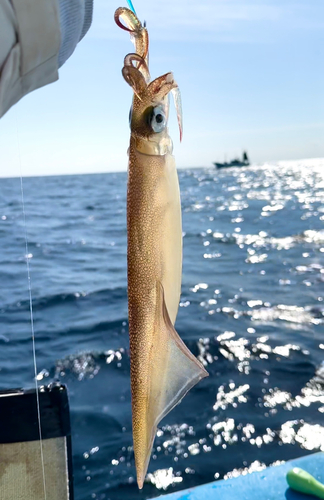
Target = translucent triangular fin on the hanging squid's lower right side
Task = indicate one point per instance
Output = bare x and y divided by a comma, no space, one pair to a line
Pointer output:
175,370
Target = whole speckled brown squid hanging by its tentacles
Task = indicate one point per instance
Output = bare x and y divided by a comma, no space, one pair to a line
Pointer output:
163,369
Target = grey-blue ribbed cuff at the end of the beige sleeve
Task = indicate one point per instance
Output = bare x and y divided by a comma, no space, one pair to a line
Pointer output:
75,20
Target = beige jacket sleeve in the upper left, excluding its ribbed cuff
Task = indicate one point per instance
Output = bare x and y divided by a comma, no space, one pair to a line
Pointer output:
30,40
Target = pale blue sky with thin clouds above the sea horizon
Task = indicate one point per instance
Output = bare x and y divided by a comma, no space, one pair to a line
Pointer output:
251,75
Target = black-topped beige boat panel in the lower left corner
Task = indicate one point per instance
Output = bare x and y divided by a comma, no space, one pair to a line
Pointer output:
37,467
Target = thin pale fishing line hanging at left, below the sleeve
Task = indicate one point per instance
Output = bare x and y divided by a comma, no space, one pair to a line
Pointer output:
31,311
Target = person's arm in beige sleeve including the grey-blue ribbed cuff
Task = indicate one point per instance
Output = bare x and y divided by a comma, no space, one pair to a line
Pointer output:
36,38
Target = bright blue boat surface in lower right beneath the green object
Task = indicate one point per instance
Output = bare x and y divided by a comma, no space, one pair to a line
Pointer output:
268,484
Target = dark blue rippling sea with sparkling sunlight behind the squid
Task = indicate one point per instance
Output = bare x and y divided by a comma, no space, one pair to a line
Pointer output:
251,309
